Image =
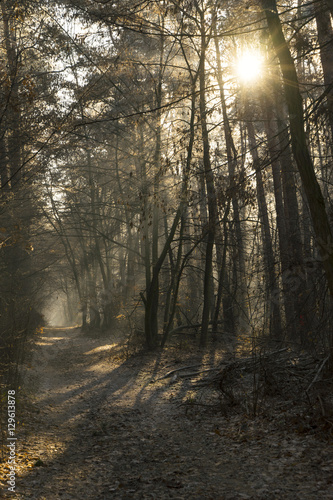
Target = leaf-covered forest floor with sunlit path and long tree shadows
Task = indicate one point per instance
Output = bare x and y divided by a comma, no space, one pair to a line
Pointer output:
97,424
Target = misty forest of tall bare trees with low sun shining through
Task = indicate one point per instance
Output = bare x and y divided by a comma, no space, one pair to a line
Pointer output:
166,174
